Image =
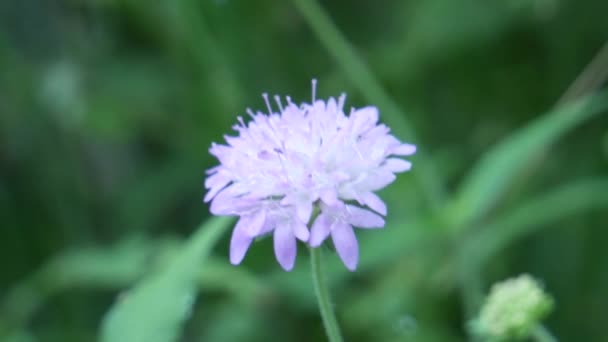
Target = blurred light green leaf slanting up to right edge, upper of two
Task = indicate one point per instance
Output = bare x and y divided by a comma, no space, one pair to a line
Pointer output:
500,166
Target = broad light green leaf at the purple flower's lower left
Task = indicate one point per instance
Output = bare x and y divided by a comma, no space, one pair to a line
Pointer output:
155,309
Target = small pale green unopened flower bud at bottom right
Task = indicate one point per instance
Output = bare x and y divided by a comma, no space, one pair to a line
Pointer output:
513,309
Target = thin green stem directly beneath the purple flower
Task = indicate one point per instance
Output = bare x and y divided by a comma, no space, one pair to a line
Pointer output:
332,330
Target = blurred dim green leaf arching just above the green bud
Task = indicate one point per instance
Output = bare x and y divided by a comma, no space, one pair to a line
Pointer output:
536,214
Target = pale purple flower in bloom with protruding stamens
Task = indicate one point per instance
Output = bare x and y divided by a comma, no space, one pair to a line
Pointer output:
282,165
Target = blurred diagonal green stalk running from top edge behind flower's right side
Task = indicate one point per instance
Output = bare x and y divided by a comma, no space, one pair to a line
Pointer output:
354,68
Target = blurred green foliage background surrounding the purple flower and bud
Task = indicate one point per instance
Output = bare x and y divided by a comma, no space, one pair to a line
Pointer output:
108,108
